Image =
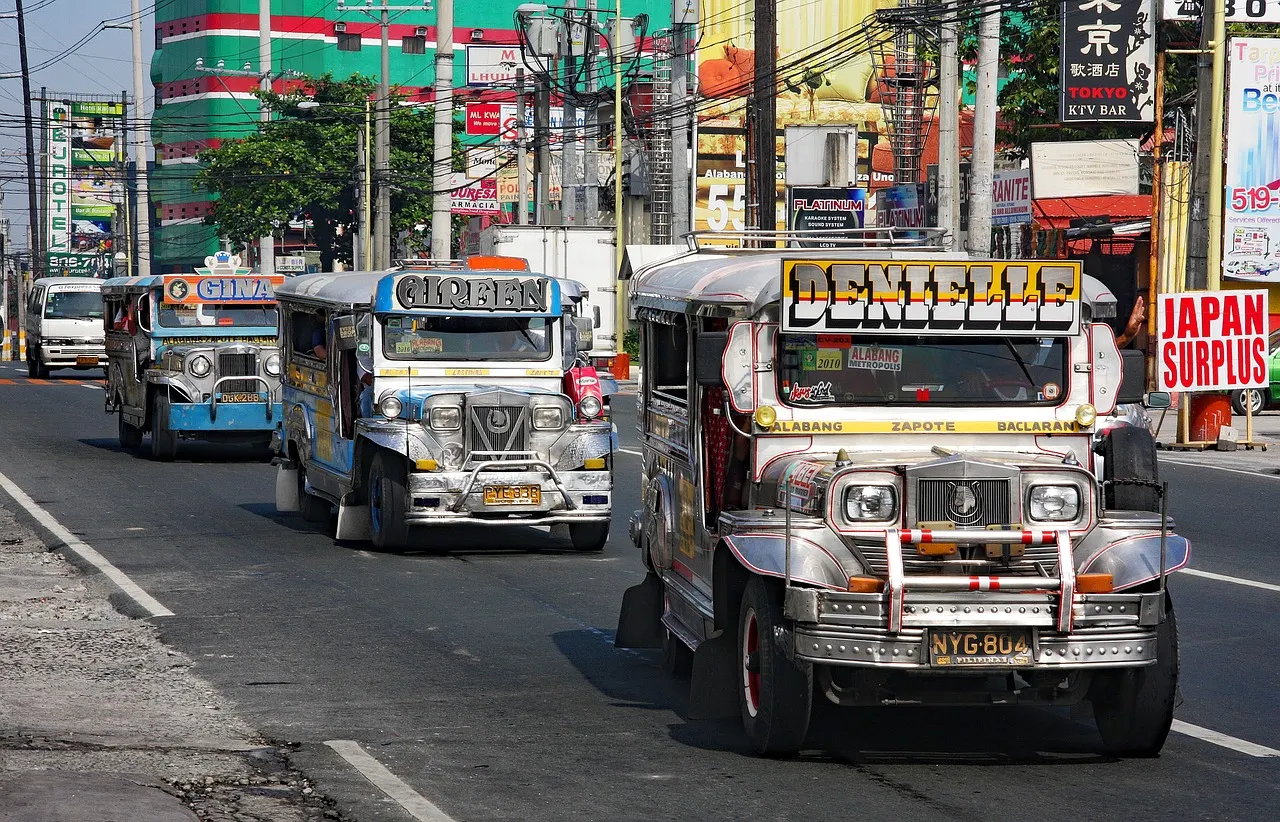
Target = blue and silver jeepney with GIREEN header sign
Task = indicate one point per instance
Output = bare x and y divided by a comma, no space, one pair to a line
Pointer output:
442,398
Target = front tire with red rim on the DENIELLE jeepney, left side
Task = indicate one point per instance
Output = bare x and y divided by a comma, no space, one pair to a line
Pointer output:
775,693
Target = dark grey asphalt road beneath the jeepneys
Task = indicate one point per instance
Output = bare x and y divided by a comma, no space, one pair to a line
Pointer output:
481,672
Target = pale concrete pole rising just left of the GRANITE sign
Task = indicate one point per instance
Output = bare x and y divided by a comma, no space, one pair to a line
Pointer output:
984,135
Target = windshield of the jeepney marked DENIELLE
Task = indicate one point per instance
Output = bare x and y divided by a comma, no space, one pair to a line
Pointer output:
819,371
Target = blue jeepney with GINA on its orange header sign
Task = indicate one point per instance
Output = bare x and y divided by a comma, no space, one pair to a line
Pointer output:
193,357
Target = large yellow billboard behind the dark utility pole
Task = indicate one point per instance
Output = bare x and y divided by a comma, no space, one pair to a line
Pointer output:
842,95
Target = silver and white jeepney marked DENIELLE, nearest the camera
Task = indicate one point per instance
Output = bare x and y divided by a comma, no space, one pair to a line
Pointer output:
897,476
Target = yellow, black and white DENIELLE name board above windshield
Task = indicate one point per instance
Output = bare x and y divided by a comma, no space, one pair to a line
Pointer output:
917,296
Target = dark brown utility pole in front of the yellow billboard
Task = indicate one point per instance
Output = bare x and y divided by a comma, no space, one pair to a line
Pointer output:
764,92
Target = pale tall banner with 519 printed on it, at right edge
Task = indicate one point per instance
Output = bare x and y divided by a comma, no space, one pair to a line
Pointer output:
1251,226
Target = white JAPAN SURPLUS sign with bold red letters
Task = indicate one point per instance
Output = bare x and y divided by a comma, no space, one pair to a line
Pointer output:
1213,341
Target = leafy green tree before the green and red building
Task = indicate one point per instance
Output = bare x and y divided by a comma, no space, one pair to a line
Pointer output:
307,165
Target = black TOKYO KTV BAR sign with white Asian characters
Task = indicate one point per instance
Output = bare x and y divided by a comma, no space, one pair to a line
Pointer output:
1108,63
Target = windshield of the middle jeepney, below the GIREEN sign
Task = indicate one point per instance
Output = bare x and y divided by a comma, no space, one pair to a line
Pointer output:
467,339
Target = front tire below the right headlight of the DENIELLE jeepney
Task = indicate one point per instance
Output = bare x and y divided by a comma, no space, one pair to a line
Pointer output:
1135,709
